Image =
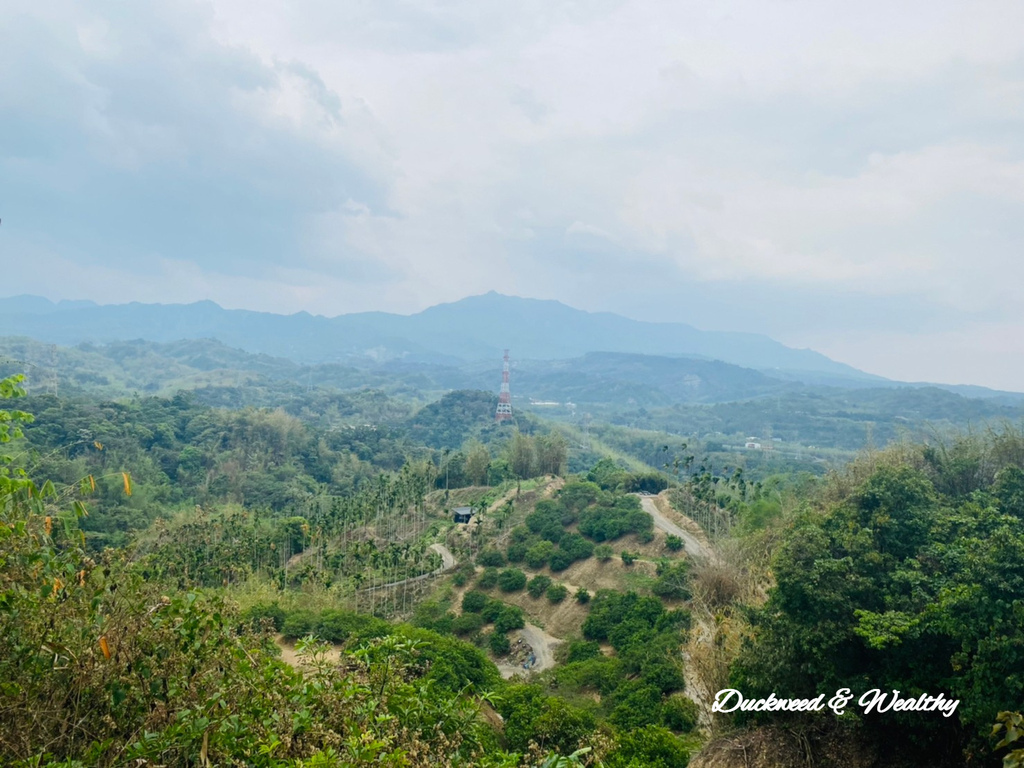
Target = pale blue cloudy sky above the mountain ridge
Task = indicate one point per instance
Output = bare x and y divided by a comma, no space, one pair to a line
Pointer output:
842,177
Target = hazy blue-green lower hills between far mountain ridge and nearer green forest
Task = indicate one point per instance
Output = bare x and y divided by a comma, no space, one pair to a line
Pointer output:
684,397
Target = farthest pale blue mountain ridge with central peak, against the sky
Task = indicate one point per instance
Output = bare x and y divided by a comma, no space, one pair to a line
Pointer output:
474,329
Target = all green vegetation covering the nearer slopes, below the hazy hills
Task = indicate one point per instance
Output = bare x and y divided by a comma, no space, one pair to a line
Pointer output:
167,541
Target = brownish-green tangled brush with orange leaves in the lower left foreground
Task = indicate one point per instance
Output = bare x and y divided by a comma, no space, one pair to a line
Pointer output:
99,668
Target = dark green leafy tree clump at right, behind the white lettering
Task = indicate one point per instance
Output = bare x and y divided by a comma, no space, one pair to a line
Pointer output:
909,575
